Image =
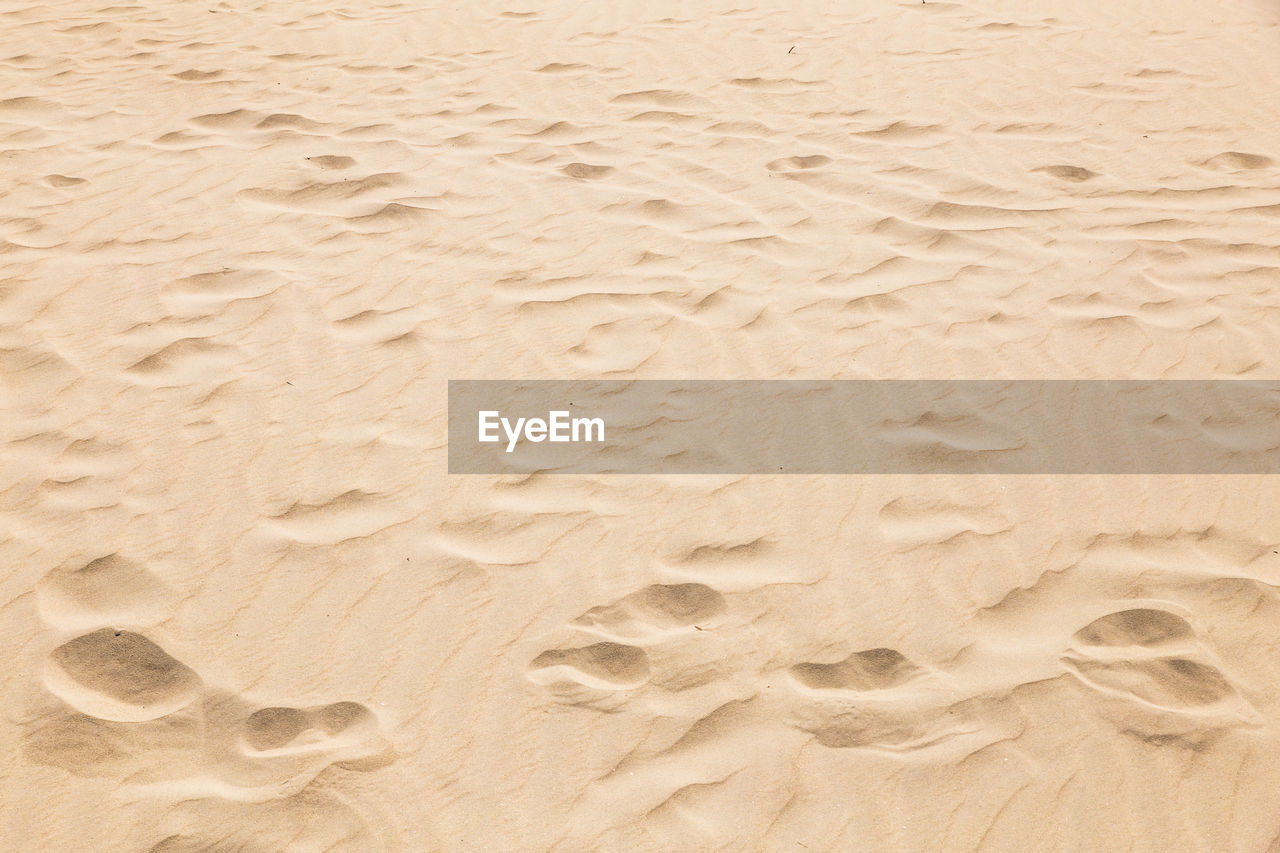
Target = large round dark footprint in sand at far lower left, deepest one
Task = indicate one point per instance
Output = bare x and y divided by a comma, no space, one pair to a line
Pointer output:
120,676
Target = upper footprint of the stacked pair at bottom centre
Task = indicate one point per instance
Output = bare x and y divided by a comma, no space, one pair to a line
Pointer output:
653,612
